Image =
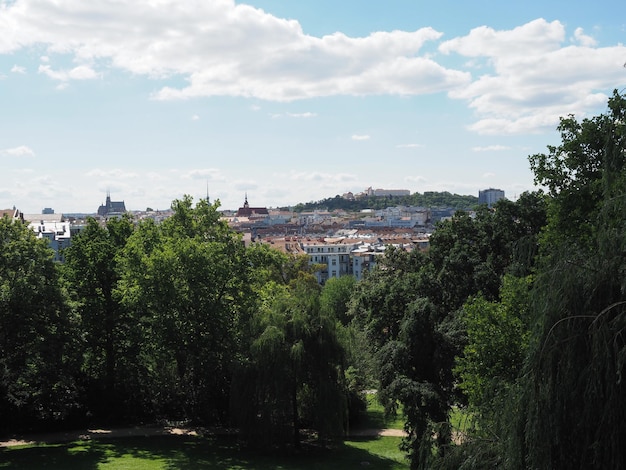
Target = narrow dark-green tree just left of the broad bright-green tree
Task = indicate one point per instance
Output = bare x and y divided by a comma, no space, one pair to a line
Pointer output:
91,271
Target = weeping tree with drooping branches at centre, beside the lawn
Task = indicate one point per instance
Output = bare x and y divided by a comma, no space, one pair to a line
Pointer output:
293,374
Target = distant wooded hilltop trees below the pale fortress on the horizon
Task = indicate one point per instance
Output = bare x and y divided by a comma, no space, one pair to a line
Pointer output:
429,199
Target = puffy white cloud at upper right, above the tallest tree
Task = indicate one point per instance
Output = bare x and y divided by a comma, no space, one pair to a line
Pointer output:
533,78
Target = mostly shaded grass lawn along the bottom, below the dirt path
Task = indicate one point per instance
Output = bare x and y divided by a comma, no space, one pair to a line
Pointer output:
187,453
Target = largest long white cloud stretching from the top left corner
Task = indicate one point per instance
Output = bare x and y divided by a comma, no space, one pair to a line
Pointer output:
224,48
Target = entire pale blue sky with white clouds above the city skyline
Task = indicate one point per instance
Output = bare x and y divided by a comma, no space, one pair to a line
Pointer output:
289,101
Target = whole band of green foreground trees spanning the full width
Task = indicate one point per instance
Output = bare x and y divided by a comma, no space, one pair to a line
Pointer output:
514,319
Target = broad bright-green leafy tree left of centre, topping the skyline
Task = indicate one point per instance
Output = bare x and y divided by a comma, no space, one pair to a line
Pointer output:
186,283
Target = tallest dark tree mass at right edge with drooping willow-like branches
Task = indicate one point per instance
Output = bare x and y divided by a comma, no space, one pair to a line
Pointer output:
574,406
